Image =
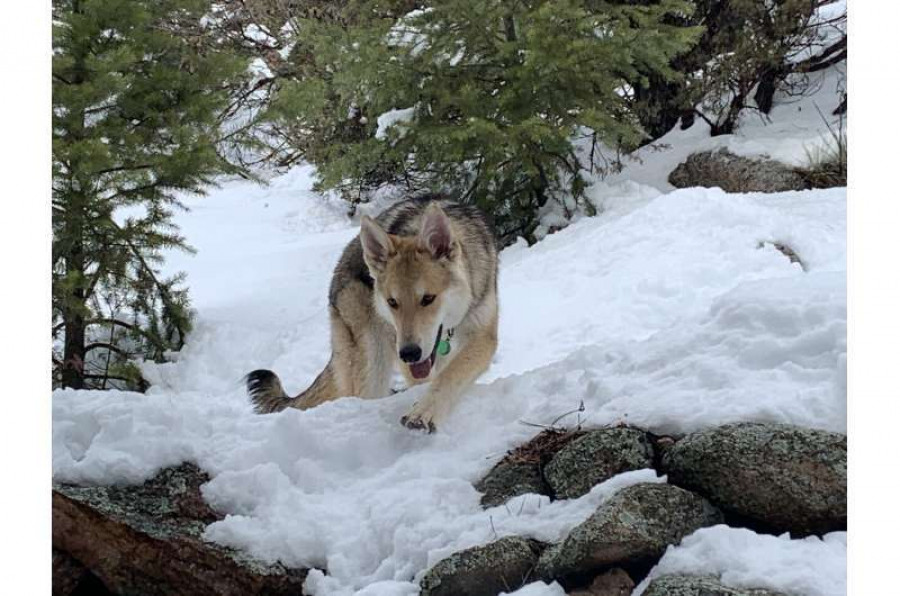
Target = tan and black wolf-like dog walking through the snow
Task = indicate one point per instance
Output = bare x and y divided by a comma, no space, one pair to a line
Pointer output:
415,290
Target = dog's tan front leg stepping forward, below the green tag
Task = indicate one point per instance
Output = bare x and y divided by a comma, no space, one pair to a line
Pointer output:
446,389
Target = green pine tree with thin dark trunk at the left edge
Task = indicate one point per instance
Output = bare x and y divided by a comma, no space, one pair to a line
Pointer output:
135,101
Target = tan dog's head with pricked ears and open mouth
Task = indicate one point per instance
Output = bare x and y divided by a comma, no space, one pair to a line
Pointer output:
420,284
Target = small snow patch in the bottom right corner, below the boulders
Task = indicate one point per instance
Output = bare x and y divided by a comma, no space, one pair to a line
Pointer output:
741,558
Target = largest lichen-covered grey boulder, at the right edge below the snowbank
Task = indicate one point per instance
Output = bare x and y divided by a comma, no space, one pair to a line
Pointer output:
784,477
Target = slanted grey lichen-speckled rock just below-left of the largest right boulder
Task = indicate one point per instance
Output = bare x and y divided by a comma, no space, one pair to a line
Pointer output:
634,526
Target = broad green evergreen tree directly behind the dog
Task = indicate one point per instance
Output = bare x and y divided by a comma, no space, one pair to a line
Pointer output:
496,94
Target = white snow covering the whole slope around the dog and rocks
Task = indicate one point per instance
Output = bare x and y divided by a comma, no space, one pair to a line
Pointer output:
670,310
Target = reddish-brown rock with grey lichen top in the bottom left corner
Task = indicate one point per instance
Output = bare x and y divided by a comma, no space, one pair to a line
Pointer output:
146,540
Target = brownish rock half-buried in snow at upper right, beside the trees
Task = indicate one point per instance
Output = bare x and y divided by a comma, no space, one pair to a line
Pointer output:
734,173
